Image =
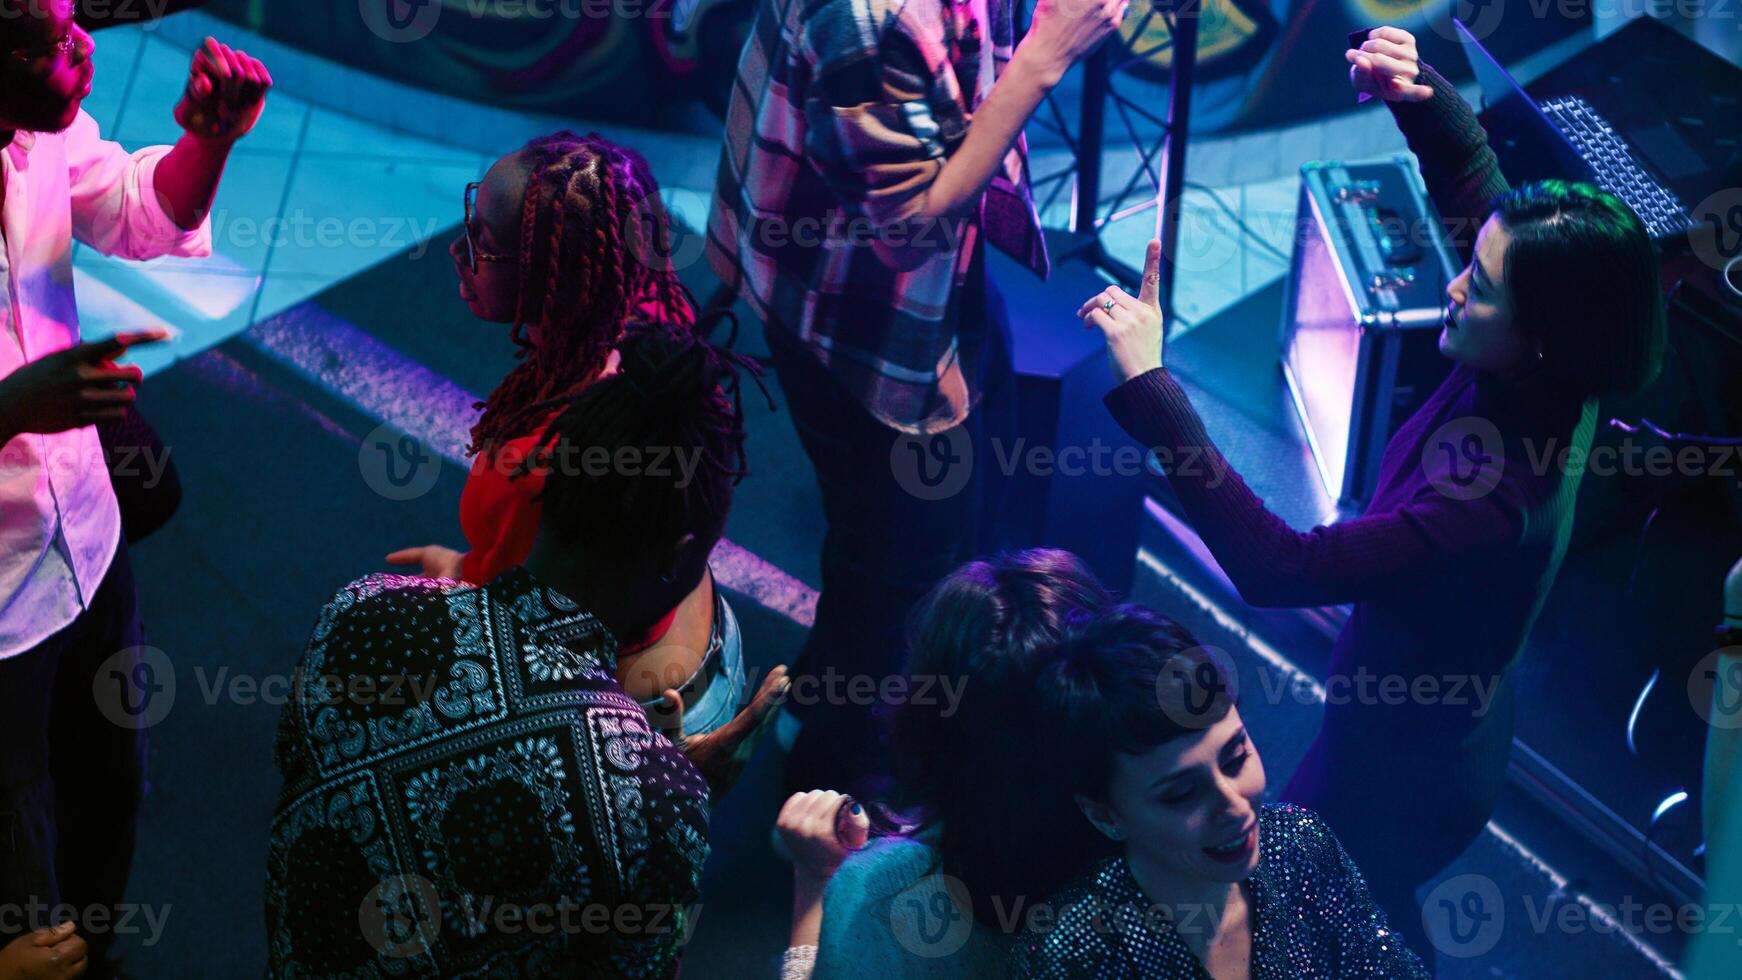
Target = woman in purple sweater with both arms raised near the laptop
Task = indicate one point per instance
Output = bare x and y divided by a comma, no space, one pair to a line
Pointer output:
1452,561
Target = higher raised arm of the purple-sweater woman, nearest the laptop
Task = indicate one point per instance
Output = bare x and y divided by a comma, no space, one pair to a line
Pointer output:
1457,164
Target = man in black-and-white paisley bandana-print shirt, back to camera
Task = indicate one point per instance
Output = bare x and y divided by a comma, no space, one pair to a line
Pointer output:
468,788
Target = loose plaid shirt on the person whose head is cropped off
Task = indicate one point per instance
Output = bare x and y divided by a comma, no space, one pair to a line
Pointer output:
842,116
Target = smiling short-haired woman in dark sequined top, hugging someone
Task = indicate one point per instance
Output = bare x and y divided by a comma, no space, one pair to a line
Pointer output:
1206,882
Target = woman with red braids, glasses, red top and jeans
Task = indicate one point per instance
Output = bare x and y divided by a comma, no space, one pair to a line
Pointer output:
567,241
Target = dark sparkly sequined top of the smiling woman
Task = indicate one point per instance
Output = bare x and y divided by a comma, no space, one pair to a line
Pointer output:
1311,918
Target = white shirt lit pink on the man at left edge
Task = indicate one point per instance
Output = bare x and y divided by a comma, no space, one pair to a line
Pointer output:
58,514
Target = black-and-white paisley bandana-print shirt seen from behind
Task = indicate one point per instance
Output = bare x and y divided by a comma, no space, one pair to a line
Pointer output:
469,793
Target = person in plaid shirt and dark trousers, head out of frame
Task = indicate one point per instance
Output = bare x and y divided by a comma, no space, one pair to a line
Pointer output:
872,149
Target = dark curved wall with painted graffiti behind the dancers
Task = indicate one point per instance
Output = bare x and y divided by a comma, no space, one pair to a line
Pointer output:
654,62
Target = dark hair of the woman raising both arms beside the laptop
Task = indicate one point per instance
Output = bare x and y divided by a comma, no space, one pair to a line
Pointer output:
1584,285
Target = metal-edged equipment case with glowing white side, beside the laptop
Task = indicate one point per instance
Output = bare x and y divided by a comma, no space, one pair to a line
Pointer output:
1363,312
